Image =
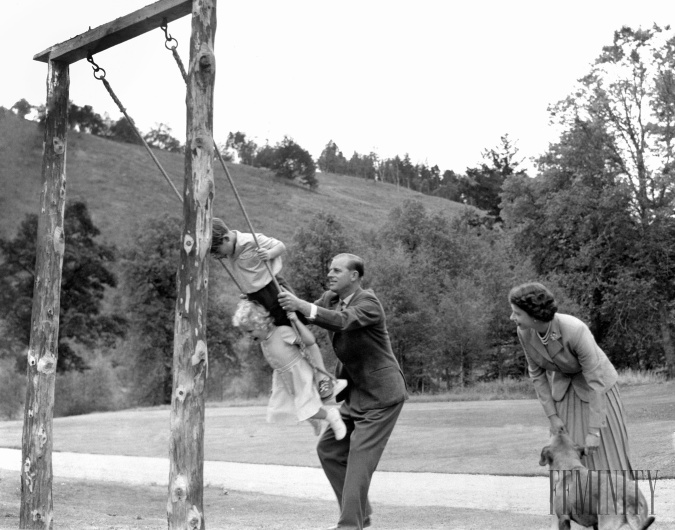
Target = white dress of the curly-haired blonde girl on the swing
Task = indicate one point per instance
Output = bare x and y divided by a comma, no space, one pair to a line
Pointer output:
294,394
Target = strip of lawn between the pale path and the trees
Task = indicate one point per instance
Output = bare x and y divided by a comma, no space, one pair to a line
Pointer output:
485,437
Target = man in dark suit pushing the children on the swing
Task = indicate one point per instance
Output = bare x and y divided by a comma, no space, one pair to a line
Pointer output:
376,389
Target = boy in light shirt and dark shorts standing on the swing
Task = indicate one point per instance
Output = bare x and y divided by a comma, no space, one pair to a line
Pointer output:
247,263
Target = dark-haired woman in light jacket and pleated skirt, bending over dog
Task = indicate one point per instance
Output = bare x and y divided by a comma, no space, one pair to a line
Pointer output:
574,380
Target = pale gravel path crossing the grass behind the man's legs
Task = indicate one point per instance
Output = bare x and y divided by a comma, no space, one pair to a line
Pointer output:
526,495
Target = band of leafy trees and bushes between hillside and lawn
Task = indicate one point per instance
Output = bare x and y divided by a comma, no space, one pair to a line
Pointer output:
596,224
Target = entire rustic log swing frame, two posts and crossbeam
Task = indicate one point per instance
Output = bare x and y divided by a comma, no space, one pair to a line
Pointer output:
186,448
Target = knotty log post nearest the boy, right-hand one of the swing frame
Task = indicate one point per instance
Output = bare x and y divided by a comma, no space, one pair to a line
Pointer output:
190,359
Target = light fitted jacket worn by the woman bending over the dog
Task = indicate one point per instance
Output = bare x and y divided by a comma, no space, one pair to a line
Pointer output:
572,357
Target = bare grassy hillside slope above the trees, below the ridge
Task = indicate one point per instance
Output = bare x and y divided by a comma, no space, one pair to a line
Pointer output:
122,187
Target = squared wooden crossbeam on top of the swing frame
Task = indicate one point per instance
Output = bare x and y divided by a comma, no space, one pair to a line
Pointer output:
119,30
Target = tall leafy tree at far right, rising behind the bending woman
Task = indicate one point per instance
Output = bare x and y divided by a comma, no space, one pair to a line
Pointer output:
603,208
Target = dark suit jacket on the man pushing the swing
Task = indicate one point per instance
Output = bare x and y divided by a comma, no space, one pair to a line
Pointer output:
361,343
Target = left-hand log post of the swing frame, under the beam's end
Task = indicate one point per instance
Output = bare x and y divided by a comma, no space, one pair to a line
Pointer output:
36,458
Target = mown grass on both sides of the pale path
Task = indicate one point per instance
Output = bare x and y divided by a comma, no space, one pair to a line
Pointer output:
485,437
